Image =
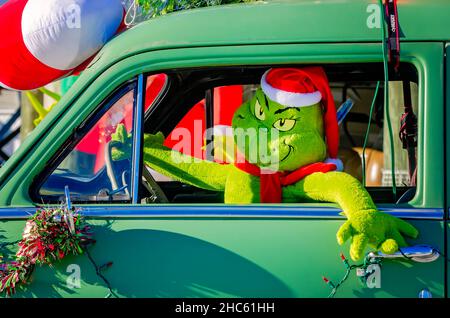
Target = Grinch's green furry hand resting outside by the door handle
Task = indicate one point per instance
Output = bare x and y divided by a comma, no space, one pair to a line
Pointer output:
381,231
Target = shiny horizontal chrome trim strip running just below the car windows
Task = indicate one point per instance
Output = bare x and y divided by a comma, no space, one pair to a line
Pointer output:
232,212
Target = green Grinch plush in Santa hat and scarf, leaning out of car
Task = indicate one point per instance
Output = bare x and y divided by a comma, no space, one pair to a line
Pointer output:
292,160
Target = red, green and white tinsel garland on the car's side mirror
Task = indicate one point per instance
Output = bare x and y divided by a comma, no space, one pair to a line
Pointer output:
49,236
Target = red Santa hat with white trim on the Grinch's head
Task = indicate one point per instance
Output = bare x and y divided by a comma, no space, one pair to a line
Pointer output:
302,87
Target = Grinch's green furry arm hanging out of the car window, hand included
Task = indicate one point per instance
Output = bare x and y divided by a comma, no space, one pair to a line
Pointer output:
365,224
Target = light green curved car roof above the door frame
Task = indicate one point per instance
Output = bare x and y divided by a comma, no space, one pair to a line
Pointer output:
272,22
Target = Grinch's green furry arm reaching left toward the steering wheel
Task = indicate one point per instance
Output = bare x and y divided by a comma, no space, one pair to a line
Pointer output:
199,173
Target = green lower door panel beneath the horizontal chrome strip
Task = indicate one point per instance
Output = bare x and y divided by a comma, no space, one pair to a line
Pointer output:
229,257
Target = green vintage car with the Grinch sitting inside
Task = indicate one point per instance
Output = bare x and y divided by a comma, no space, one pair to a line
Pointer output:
187,70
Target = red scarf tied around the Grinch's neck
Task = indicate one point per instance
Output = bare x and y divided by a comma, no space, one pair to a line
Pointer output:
271,182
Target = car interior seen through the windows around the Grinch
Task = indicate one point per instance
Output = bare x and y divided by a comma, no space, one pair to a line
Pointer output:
197,93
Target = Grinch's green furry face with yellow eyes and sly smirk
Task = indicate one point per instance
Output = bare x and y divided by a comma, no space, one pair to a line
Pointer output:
276,137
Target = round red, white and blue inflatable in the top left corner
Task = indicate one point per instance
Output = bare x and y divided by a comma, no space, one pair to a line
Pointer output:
44,40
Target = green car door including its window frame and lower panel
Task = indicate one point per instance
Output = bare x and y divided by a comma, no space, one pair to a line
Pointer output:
213,249
